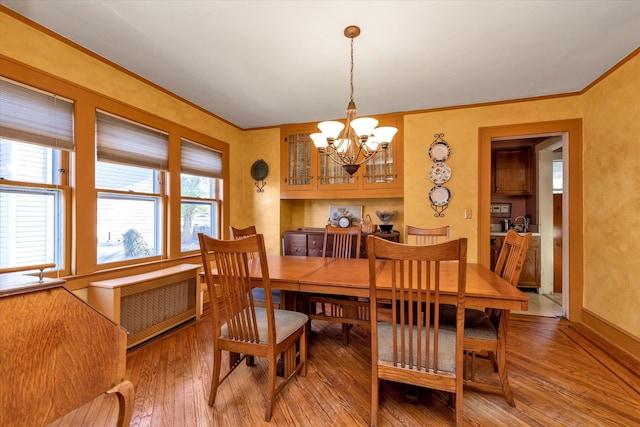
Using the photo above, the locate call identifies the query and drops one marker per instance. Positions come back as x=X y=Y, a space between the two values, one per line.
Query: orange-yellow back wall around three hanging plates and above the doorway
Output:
x=460 y=128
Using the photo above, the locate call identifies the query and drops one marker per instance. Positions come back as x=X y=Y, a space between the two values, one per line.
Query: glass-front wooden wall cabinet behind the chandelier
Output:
x=306 y=174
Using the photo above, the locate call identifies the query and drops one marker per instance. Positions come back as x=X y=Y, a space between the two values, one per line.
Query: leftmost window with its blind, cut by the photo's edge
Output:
x=36 y=134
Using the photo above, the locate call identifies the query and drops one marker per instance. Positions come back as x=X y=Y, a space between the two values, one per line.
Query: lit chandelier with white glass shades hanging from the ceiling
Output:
x=355 y=142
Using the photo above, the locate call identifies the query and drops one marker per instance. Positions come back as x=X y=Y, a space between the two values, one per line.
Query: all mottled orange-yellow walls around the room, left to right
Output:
x=611 y=169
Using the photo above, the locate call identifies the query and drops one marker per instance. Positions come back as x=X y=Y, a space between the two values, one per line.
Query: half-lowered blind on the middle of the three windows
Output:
x=123 y=141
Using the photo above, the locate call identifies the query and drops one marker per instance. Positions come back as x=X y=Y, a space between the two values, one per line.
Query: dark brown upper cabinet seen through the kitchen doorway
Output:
x=512 y=171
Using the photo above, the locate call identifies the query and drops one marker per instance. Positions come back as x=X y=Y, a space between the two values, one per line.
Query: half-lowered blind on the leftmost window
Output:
x=35 y=117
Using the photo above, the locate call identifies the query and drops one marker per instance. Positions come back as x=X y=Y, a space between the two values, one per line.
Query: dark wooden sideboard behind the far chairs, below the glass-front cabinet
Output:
x=308 y=242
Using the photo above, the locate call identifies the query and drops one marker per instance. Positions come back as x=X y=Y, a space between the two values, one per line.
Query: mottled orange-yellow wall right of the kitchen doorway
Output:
x=612 y=198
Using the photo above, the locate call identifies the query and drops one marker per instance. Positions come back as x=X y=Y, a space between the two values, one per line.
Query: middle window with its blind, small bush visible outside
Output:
x=130 y=167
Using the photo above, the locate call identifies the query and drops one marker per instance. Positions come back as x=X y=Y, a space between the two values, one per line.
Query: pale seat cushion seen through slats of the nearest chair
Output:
x=446 y=346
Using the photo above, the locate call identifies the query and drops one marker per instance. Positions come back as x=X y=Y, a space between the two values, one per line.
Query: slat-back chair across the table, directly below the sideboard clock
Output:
x=340 y=243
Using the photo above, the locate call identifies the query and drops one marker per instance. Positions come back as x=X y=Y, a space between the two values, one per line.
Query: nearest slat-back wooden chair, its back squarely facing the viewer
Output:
x=407 y=344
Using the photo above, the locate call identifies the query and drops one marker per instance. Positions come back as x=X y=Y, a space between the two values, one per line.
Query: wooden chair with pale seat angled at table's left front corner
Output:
x=242 y=328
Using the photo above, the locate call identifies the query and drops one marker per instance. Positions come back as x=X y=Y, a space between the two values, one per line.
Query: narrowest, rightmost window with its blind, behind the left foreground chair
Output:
x=200 y=189
